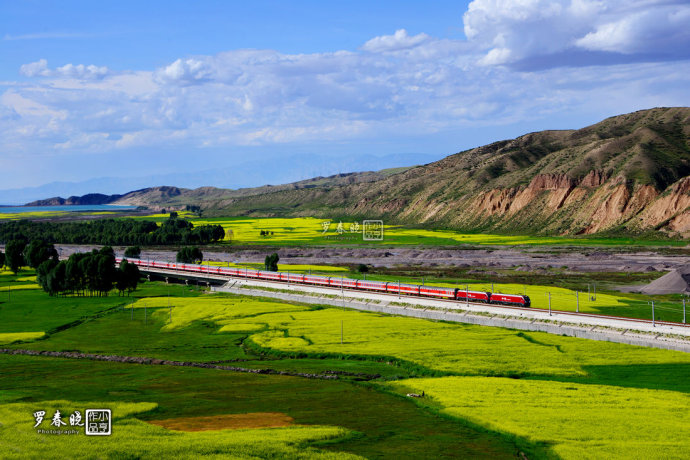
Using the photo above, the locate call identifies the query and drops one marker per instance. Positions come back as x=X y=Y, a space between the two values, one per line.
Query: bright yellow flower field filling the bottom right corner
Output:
x=579 y=421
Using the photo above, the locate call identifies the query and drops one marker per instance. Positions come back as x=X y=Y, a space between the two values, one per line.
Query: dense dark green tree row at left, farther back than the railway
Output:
x=113 y=232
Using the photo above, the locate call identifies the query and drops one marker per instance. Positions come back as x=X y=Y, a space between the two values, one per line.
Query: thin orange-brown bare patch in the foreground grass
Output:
x=226 y=422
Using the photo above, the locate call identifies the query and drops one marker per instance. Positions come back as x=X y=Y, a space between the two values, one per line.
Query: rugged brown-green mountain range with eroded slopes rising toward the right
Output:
x=628 y=174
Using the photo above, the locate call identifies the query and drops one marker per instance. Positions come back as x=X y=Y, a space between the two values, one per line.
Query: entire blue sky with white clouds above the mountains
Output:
x=122 y=89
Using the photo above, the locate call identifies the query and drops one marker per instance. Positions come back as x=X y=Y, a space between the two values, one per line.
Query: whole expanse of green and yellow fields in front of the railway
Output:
x=489 y=392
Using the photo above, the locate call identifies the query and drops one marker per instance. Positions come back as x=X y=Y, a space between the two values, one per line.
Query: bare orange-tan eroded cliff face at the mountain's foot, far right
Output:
x=593 y=204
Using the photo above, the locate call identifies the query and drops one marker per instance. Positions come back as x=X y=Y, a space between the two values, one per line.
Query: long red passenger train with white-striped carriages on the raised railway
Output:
x=347 y=283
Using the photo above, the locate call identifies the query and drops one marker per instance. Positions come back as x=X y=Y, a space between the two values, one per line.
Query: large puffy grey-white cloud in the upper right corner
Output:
x=588 y=31
